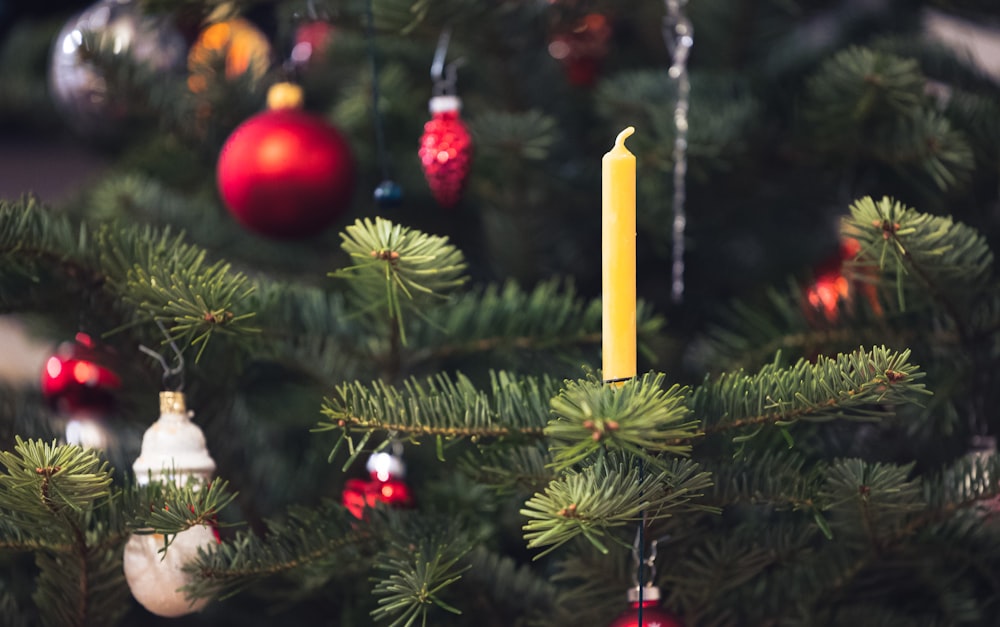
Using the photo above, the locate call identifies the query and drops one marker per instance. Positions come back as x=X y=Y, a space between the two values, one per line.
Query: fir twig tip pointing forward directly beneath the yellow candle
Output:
x=640 y=418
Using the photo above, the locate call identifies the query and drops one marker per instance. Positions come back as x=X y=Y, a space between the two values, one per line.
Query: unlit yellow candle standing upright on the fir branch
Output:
x=618 y=260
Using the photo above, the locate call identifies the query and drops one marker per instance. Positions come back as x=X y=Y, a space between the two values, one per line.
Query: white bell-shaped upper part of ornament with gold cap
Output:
x=173 y=448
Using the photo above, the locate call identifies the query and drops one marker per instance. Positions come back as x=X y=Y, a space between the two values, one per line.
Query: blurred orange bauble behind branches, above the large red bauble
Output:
x=227 y=51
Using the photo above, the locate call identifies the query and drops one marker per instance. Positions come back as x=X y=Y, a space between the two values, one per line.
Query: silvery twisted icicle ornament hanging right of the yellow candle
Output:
x=678 y=35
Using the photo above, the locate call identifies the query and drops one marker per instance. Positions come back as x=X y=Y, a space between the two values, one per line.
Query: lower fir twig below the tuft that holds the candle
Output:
x=611 y=492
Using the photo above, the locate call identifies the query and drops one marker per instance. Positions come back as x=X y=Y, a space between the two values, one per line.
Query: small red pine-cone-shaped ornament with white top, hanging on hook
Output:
x=446 y=150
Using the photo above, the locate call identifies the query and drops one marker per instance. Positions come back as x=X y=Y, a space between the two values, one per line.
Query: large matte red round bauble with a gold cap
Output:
x=286 y=174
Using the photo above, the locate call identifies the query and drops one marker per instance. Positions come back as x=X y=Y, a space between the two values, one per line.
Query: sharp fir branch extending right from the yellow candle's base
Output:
x=862 y=385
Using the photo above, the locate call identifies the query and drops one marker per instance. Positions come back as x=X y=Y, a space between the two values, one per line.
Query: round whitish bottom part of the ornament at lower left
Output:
x=155 y=578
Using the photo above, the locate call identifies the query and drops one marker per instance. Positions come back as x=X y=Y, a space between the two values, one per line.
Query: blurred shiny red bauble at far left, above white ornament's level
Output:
x=78 y=378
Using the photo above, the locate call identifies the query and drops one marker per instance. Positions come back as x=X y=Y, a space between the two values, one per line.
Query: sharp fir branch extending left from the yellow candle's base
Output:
x=443 y=406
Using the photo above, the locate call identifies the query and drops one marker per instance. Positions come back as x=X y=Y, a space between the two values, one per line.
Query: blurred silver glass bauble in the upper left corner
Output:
x=85 y=93
